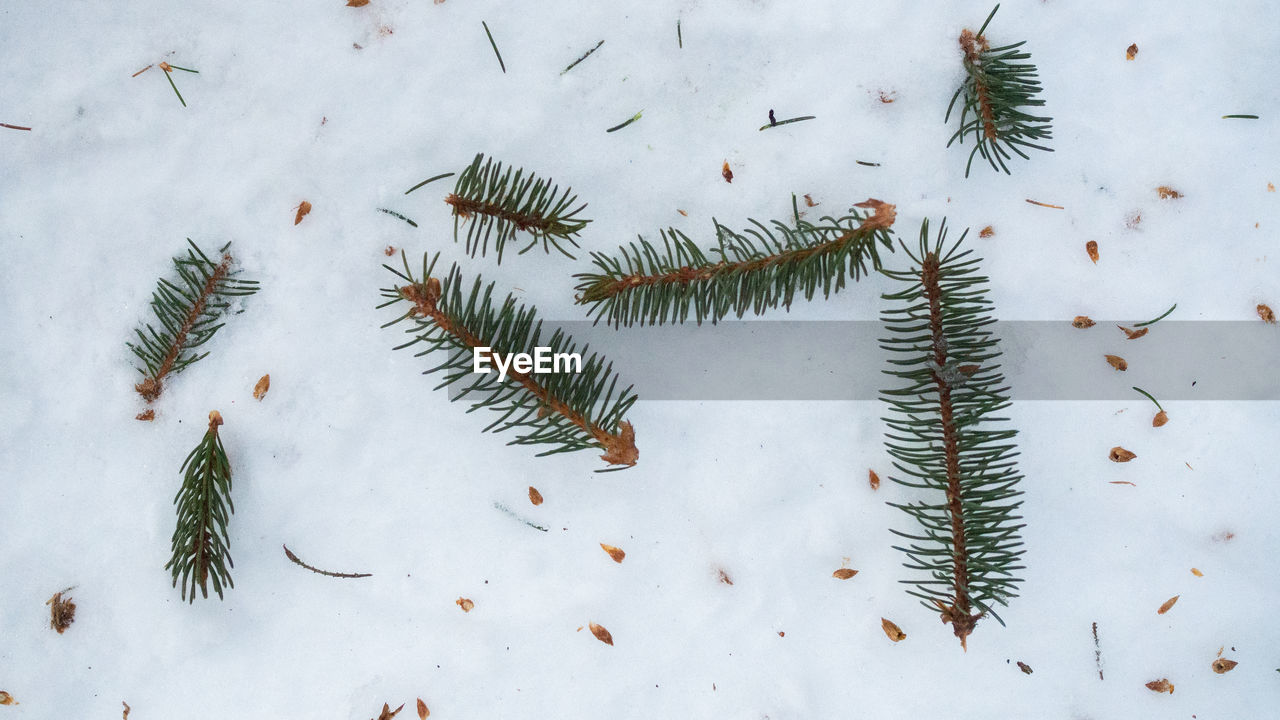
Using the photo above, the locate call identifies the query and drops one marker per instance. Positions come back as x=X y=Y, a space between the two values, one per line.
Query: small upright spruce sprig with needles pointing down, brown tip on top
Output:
x=200 y=541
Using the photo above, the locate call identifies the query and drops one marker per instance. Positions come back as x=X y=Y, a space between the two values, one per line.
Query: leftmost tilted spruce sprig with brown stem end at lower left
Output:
x=189 y=313
